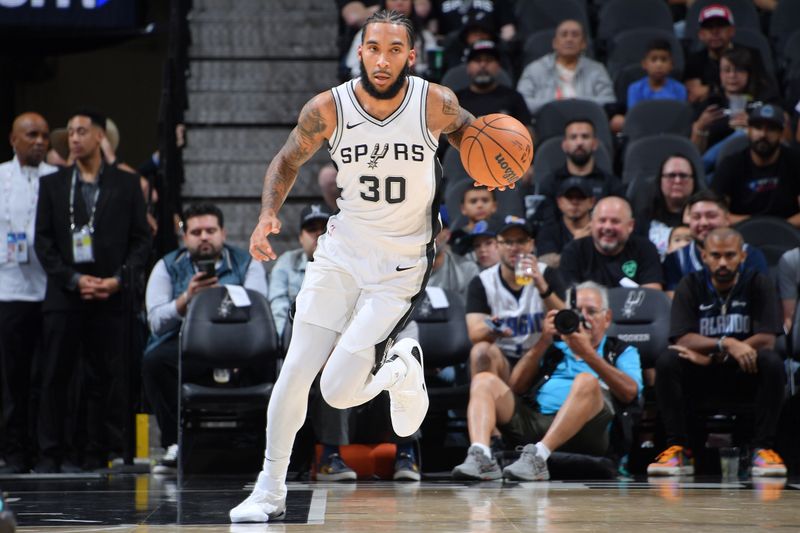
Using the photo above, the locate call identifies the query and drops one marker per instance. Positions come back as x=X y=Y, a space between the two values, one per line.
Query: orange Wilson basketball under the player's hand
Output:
x=496 y=150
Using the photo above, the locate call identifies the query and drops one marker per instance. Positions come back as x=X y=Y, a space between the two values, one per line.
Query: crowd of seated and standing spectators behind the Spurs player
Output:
x=72 y=229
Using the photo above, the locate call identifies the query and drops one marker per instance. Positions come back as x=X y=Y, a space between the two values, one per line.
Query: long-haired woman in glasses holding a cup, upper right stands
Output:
x=723 y=115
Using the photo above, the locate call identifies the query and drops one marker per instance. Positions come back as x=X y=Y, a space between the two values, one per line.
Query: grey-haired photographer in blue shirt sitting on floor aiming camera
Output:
x=588 y=373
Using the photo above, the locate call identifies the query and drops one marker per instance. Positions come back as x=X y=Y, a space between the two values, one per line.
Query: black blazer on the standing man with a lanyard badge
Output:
x=121 y=234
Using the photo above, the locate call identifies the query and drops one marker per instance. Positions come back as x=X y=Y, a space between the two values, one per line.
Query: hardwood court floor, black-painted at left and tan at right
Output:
x=148 y=504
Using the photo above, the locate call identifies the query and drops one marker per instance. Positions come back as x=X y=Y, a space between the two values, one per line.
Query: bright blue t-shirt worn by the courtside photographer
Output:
x=553 y=393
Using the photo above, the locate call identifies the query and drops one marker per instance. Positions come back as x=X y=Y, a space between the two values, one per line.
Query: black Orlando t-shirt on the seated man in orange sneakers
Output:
x=752 y=307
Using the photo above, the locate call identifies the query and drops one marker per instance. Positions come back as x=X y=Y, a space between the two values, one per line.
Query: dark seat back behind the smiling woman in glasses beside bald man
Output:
x=643 y=156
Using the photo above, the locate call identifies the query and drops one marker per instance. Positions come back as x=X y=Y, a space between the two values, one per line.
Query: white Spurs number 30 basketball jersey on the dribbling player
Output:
x=388 y=171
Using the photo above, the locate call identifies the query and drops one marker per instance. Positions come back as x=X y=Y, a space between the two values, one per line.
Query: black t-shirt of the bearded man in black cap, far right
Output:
x=754 y=190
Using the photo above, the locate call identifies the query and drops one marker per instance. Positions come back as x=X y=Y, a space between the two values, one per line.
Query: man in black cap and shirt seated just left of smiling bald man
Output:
x=575 y=202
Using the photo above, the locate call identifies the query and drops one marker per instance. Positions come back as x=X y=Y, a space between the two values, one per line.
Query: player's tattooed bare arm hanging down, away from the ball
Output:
x=304 y=140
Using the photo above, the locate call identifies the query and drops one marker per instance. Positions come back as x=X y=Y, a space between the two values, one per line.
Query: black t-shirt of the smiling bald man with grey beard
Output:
x=638 y=261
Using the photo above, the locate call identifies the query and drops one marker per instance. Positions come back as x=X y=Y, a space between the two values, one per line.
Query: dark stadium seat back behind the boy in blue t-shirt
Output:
x=630 y=46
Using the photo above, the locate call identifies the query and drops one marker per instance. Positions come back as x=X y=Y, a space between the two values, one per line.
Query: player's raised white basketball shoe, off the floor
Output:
x=409 y=397
